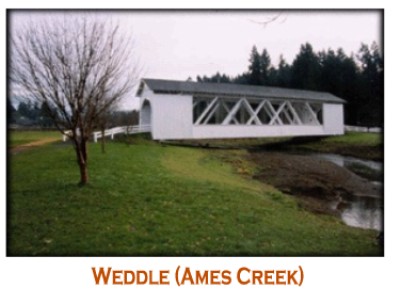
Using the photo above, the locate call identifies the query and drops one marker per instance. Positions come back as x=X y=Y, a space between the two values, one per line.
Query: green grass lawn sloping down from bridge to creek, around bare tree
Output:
x=154 y=200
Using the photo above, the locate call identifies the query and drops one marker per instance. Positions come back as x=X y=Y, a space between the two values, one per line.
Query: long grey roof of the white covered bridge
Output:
x=160 y=86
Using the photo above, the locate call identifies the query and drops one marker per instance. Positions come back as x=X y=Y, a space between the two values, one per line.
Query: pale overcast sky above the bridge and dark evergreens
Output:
x=182 y=44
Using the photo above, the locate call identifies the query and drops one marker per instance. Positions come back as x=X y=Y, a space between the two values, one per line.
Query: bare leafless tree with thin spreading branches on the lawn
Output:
x=79 y=67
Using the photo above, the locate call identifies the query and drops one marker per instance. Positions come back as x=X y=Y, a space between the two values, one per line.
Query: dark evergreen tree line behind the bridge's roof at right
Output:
x=356 y=78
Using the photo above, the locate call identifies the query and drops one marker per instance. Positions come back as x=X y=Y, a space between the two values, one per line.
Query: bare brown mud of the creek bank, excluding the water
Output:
x=316 y=182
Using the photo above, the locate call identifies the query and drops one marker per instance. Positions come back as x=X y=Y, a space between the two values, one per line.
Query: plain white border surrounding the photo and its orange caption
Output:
x=325 y=278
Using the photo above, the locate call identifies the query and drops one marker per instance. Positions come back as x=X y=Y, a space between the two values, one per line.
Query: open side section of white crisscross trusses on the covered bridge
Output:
x=247 y=111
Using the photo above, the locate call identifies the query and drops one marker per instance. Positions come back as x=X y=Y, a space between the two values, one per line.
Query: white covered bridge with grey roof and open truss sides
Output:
x=191 y=110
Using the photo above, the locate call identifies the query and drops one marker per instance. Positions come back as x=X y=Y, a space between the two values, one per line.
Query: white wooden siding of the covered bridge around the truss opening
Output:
x=172 y=118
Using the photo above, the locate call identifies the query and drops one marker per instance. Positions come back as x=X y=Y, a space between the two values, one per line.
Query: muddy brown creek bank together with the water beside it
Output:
x=323 y=186
